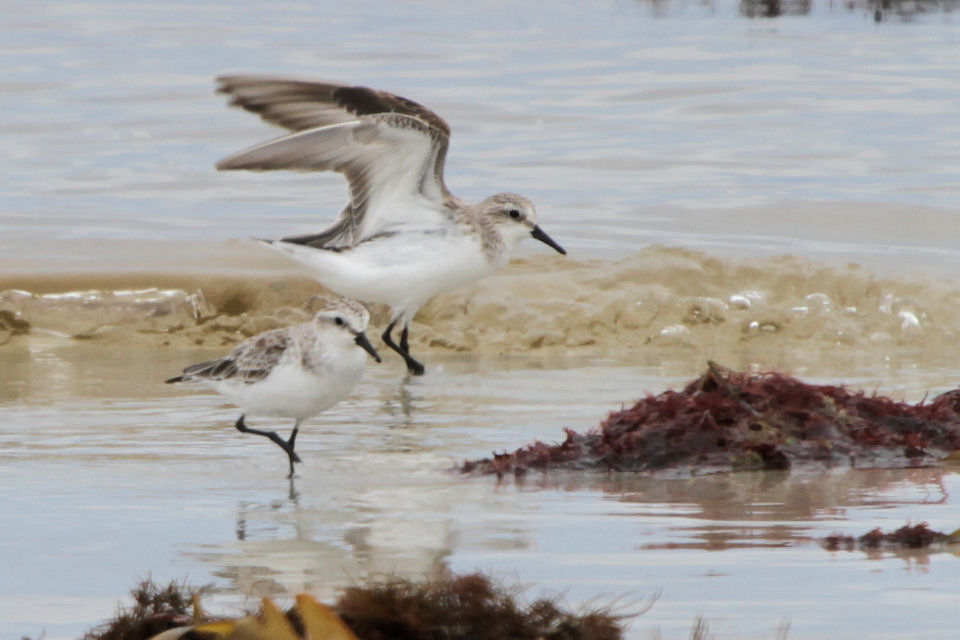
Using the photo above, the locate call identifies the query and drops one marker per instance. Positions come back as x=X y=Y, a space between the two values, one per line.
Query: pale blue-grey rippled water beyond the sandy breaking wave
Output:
x=627 y=123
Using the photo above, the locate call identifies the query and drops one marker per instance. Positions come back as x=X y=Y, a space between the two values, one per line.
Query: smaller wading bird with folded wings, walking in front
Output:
x=295 y=372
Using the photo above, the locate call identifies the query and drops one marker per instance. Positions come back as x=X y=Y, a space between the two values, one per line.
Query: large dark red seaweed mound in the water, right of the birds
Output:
x=727 y=421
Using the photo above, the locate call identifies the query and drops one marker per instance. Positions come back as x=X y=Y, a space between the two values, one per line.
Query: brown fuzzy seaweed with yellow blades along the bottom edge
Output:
x=450 y=606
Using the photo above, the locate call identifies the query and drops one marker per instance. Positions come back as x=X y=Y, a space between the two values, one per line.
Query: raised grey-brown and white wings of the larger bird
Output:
x=392 y=150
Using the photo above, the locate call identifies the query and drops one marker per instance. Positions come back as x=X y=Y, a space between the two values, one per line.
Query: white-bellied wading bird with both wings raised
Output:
x=403 y=237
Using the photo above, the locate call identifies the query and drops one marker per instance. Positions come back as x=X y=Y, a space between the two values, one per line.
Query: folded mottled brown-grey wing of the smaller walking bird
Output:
x=249 y=362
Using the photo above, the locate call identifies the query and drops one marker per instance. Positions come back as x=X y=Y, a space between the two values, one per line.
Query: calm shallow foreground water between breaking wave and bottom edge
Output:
x=118 y=477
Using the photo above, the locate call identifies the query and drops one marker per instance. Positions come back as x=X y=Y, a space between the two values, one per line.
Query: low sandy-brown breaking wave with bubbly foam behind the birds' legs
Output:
x=664 y=298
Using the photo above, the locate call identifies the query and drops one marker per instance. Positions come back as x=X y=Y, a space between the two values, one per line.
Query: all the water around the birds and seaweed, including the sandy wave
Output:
x=827 y=137
